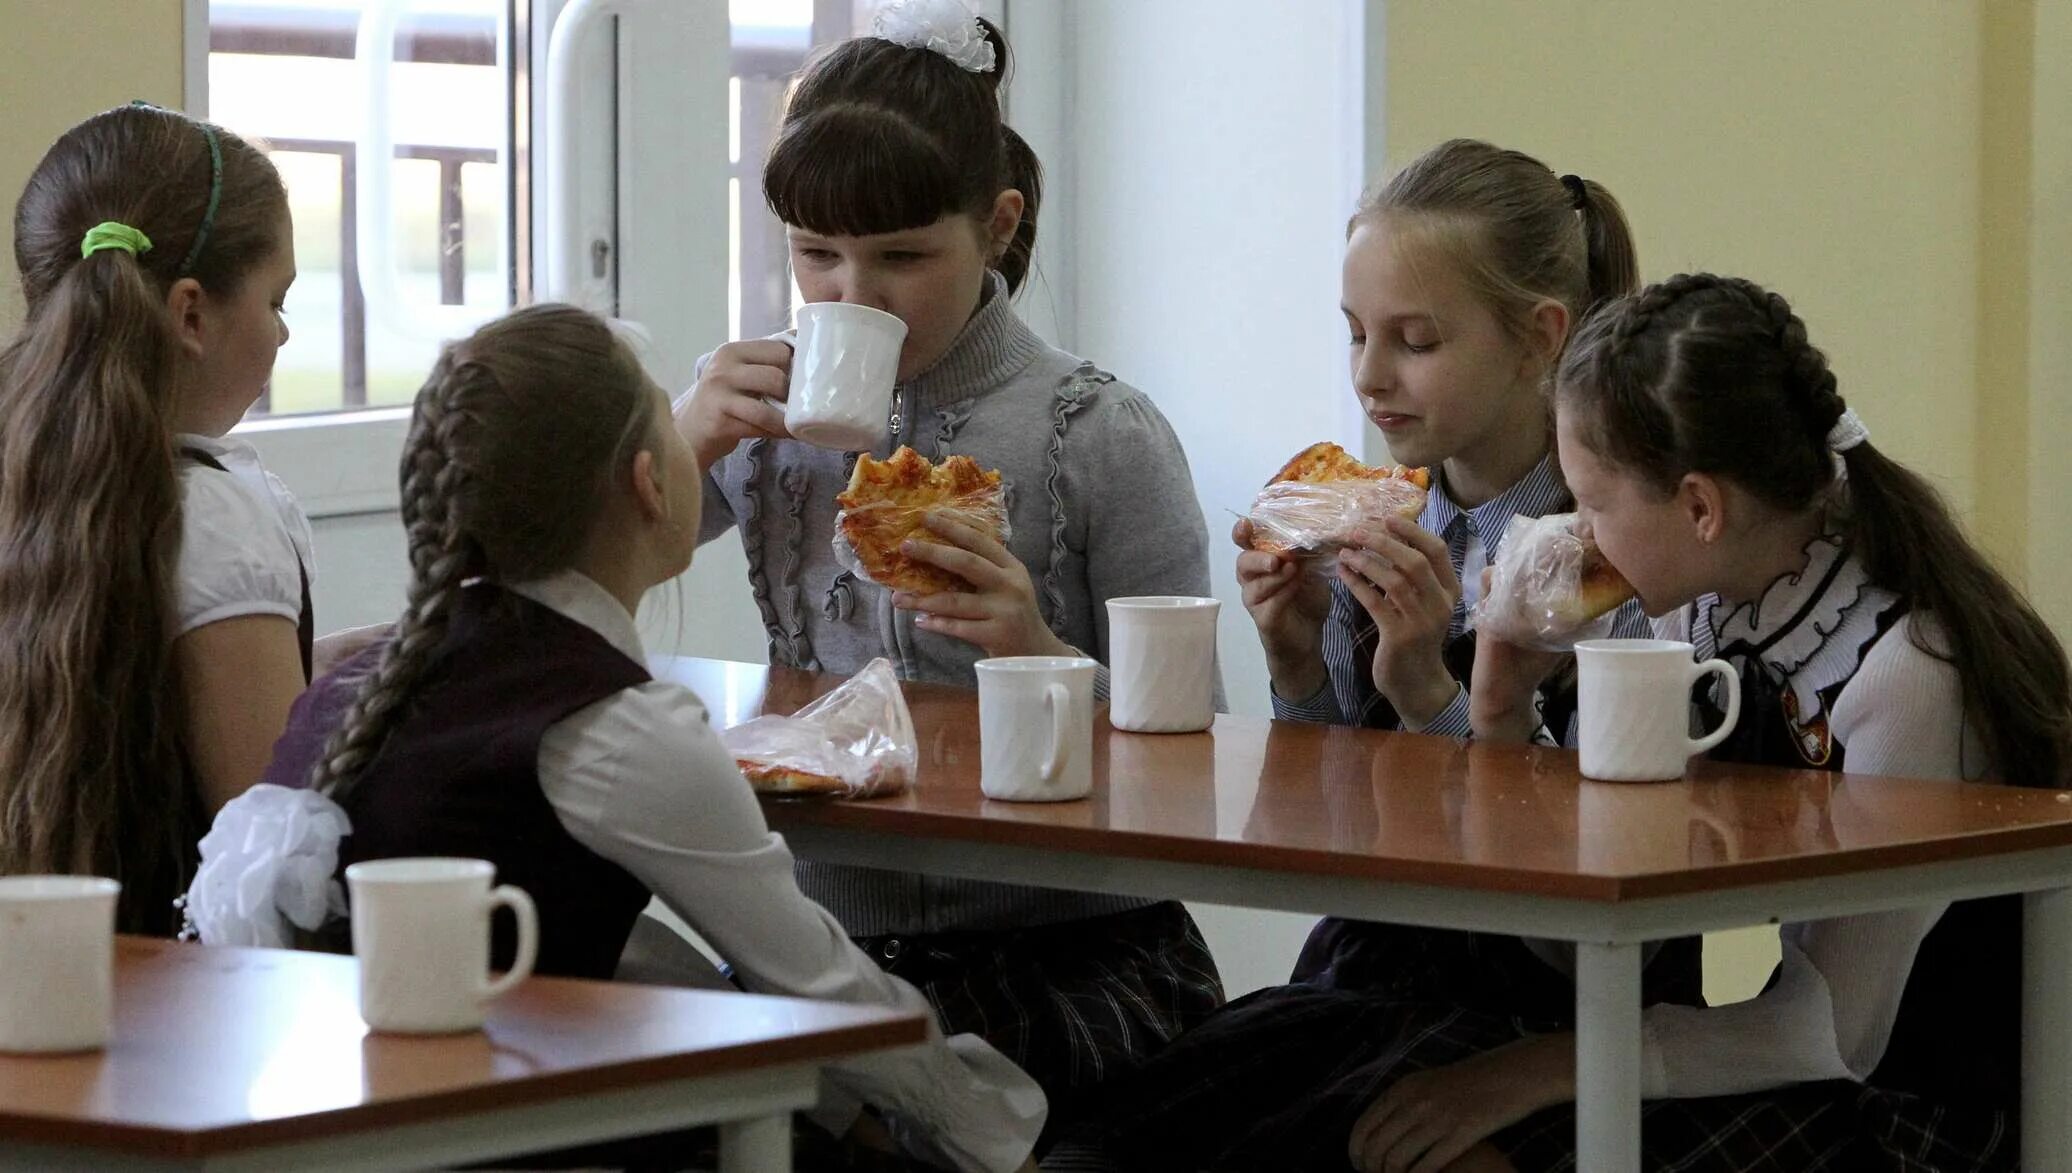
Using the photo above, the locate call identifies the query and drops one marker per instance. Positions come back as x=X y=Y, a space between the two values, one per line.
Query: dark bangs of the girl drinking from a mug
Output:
x=857 y=171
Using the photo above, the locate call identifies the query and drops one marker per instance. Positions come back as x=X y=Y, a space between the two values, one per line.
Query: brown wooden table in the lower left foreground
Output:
x=260 y=1060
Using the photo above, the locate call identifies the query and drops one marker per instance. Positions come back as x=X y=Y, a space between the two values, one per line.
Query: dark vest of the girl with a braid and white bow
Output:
x=459 y=776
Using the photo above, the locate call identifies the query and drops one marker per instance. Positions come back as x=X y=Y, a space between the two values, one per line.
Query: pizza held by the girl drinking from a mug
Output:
x=890 y=500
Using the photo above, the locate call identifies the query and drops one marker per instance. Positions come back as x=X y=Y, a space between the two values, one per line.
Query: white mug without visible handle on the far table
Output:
x=1163 y=664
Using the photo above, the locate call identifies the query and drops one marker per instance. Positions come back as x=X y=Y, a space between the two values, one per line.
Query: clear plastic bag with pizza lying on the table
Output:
x=855 y=743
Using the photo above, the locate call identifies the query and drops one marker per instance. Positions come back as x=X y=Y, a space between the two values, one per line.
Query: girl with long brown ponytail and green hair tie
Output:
x=154 y=594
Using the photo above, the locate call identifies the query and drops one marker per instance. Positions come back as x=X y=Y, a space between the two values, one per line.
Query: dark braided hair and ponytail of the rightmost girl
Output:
x=1708 y=374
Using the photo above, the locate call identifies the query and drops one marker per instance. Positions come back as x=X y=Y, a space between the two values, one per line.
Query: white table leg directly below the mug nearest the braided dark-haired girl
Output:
x=1609 y=1058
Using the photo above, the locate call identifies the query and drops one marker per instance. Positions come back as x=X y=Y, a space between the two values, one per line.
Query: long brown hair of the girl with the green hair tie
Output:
x=92 y=760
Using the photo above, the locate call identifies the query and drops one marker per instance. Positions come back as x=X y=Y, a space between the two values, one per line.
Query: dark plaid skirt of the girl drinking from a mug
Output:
x=1072 y=1004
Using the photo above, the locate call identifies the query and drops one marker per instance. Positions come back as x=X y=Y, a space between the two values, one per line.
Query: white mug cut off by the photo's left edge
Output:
x=57 y=963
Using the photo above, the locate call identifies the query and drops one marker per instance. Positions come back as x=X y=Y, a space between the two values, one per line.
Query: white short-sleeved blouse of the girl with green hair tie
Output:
x=243 y=540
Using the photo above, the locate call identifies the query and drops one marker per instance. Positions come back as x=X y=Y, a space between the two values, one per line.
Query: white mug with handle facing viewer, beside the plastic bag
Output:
x=1037 y=728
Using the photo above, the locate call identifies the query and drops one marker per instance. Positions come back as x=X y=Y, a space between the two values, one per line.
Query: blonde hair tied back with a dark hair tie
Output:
x=1516 y=231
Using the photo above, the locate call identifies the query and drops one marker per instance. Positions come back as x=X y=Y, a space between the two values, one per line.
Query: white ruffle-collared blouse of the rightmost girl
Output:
x=1839 y=990
